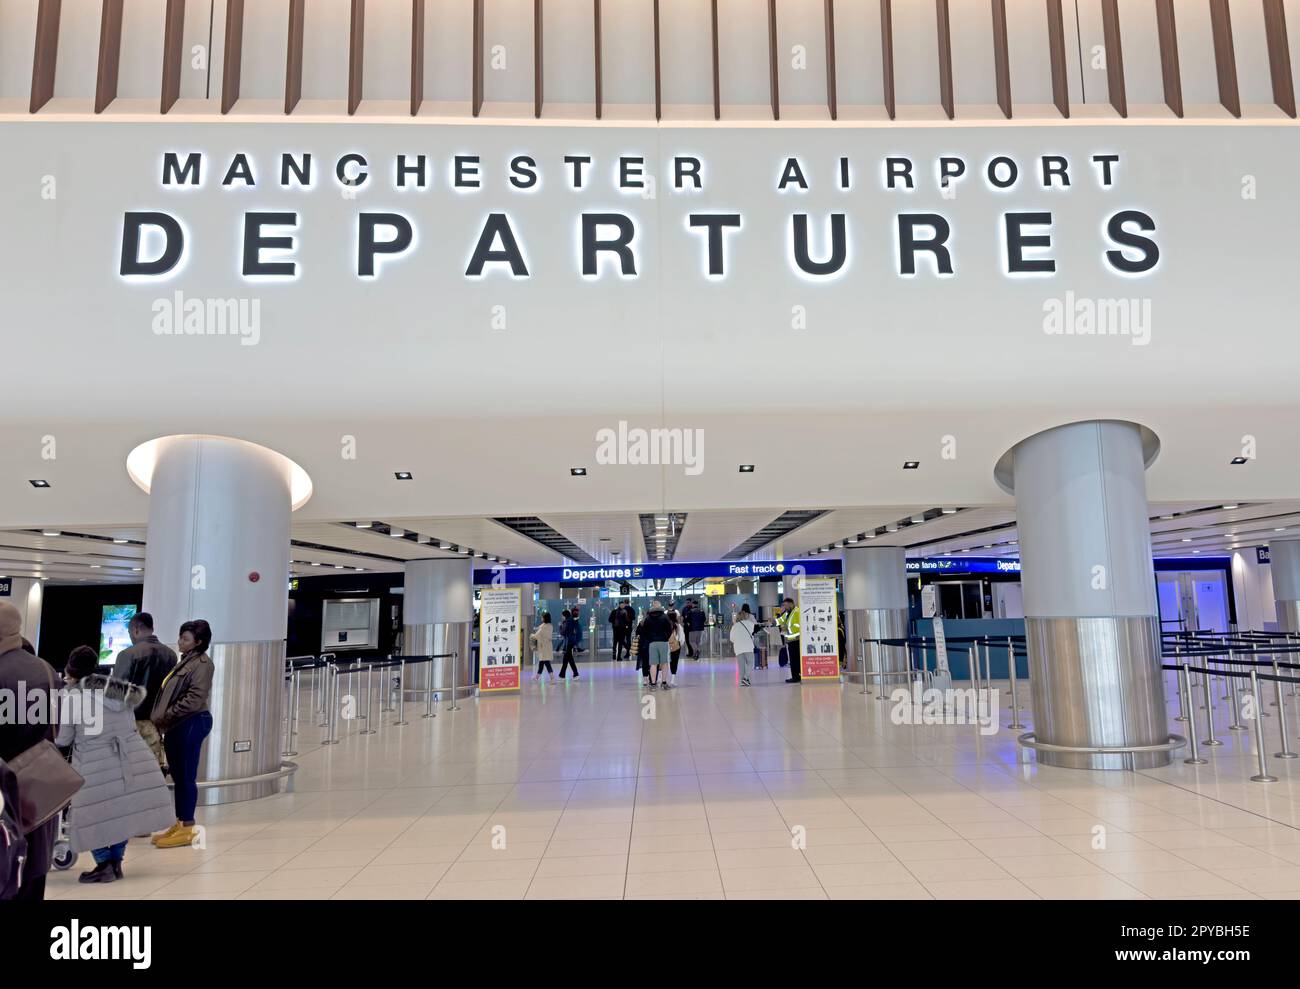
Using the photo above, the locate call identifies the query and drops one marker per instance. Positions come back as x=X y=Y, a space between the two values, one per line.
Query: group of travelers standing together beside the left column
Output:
x=155 y=718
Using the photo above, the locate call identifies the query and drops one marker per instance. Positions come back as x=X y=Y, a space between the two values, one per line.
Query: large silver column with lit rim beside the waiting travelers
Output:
x=219 y=550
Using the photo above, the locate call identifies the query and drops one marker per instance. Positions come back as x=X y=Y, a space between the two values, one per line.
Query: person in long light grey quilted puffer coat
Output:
x=125 y=793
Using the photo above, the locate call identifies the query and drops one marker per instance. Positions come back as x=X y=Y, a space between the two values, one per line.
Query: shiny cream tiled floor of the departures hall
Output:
x=567 y=791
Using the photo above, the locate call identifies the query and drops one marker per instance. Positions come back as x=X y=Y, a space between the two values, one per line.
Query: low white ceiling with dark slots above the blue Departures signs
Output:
x=1197 y=528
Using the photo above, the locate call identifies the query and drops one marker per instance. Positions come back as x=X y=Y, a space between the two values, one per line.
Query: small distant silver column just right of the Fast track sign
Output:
x=876 y=604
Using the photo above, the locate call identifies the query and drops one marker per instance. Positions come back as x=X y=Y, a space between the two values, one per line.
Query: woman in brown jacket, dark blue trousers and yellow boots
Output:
x=181 y=714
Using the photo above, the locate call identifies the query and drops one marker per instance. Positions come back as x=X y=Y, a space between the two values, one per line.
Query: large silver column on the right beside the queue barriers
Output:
x=1090 y=595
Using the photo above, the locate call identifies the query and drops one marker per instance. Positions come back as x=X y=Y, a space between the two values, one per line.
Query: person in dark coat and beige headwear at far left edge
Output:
x=23 y=674
